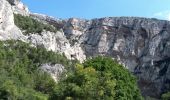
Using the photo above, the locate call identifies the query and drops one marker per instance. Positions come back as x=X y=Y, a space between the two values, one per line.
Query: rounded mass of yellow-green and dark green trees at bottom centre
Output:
x=99 y=78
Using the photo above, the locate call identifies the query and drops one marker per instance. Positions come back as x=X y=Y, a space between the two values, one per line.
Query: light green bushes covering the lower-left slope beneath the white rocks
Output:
x=20 y=76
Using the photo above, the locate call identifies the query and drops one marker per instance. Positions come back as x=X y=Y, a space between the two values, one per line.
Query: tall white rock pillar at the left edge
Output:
x=8 y=30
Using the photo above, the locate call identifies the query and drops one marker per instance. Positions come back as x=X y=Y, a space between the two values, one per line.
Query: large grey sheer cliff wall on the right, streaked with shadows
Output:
x=141 y=44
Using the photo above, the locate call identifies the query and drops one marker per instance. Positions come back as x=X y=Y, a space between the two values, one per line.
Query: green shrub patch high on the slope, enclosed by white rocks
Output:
x=30 y=25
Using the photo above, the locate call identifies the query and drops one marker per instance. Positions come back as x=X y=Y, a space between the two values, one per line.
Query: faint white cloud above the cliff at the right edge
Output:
x=163 y=15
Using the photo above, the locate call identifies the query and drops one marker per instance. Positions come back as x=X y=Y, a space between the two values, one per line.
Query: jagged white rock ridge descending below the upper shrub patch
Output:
x=57 y=42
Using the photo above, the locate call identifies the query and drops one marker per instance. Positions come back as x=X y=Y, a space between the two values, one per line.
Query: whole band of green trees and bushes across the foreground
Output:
x=99 y=78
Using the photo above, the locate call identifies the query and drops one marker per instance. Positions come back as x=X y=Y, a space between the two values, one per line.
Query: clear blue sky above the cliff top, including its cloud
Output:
x=90 y=9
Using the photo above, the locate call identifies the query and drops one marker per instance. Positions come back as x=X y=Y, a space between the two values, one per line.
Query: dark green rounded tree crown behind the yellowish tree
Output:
x=126 y=85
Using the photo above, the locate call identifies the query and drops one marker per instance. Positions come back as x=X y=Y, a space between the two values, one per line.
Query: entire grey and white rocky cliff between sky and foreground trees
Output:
x=141 y=44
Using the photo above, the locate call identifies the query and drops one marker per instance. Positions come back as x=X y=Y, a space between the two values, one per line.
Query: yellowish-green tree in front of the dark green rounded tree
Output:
x=85 y=84
